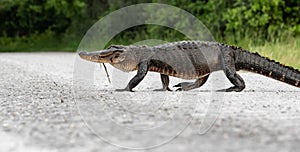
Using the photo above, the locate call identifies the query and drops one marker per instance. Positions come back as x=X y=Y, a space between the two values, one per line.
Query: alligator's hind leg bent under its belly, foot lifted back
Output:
x=185 y=86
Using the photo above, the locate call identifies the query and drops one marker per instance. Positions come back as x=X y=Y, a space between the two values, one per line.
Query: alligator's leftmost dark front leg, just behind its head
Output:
x=141 y=73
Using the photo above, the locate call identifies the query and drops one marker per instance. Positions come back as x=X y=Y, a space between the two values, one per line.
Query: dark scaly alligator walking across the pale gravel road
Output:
x=191 y=60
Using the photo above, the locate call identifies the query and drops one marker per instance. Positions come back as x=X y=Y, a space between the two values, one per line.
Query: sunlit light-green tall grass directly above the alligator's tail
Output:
x=284 y=48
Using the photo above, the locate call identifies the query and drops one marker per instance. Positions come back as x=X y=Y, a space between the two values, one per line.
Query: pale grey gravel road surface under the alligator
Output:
x=38 y=112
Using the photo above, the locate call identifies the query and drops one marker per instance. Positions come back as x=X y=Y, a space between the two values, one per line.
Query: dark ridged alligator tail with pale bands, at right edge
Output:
x=256 y=63
